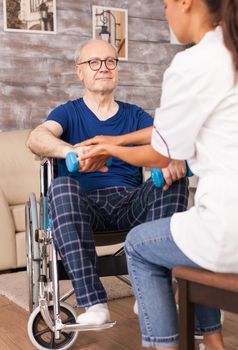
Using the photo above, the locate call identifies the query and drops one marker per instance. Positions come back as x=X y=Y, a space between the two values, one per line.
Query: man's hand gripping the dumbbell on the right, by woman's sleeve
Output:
x=175 y=171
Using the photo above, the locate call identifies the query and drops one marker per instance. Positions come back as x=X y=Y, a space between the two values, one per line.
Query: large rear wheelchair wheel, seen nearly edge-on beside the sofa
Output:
x=32 y=252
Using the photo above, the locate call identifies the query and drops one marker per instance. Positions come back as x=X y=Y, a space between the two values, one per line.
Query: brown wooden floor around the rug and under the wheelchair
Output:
x=124 y=336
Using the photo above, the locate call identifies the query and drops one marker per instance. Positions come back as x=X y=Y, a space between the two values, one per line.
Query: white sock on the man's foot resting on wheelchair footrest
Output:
x=95 y=315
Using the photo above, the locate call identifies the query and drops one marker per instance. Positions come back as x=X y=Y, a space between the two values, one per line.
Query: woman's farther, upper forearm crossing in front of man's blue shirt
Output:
x=140 y=137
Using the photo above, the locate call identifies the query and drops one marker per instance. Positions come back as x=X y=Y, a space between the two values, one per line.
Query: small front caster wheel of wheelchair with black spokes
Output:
x=43 y=338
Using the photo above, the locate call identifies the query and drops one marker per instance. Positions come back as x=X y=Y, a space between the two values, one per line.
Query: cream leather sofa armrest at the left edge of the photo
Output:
x=7 y=236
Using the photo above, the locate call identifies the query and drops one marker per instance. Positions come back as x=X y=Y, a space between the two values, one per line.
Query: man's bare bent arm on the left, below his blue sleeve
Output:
x=45 y=141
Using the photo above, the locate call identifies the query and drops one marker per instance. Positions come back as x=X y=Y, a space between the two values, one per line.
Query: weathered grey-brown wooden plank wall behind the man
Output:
x=37 y=70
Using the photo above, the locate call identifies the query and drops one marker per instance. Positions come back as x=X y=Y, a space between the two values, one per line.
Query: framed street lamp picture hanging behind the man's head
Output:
x=111 y=24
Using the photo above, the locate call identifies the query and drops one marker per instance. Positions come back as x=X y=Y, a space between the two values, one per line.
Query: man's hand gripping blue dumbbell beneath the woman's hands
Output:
x=90 y=164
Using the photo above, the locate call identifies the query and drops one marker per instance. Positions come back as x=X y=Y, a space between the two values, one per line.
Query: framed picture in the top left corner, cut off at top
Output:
x=30 y=16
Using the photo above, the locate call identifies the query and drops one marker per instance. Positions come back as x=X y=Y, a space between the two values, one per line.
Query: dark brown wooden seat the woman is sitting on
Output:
x=219 y=290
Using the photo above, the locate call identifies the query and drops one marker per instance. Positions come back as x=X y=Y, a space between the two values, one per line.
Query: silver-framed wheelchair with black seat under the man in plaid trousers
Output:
x=52 y=322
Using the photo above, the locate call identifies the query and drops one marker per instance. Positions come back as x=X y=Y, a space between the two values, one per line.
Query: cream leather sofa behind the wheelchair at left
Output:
x=19 y=175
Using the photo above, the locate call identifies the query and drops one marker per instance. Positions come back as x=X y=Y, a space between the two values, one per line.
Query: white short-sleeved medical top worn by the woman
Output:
x=198 y=121
